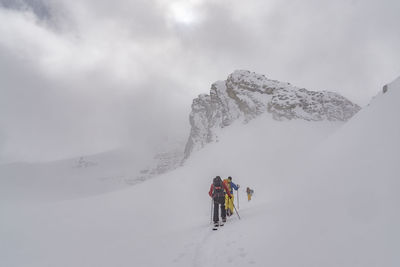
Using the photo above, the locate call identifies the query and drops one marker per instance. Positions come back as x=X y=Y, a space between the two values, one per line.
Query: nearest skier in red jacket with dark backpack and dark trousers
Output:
x=217 y=192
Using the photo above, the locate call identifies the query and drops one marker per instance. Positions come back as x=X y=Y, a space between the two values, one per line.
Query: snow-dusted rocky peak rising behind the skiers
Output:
x=245 y=95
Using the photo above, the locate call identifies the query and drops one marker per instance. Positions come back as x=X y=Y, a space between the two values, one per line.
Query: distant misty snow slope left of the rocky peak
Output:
x=87 y=175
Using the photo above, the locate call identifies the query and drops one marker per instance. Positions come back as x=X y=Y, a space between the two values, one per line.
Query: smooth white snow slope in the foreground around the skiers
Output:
x=320 y=199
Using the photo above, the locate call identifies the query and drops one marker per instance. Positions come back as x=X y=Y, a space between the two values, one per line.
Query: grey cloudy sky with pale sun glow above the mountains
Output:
x=79 y=77
